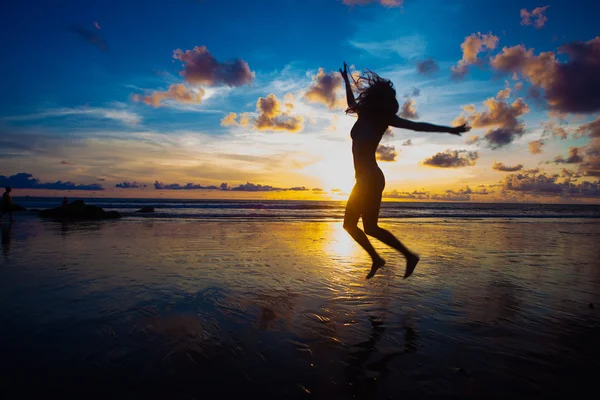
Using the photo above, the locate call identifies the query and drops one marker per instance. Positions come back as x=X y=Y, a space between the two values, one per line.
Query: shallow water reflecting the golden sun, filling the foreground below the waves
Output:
x=187 y=309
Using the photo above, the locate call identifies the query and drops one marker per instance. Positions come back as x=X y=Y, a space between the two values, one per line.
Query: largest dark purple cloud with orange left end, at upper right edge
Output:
x=572 y=86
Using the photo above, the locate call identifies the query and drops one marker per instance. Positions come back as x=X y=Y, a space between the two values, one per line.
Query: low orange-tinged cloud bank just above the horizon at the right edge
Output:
x=546 y=185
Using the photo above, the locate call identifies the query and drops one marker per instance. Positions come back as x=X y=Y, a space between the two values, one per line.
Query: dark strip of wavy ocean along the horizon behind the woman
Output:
x=319 y=210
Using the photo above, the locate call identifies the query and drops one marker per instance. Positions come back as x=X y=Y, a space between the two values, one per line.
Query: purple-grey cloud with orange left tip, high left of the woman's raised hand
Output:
x=201 y=67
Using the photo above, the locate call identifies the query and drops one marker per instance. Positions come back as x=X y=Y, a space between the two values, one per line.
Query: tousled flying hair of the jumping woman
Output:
x=375 y=95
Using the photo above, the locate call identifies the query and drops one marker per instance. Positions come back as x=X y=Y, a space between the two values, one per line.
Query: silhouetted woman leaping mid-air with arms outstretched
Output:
x=376 y=107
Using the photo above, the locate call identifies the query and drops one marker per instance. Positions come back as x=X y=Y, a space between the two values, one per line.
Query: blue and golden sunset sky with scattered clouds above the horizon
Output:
x=242 y=99
